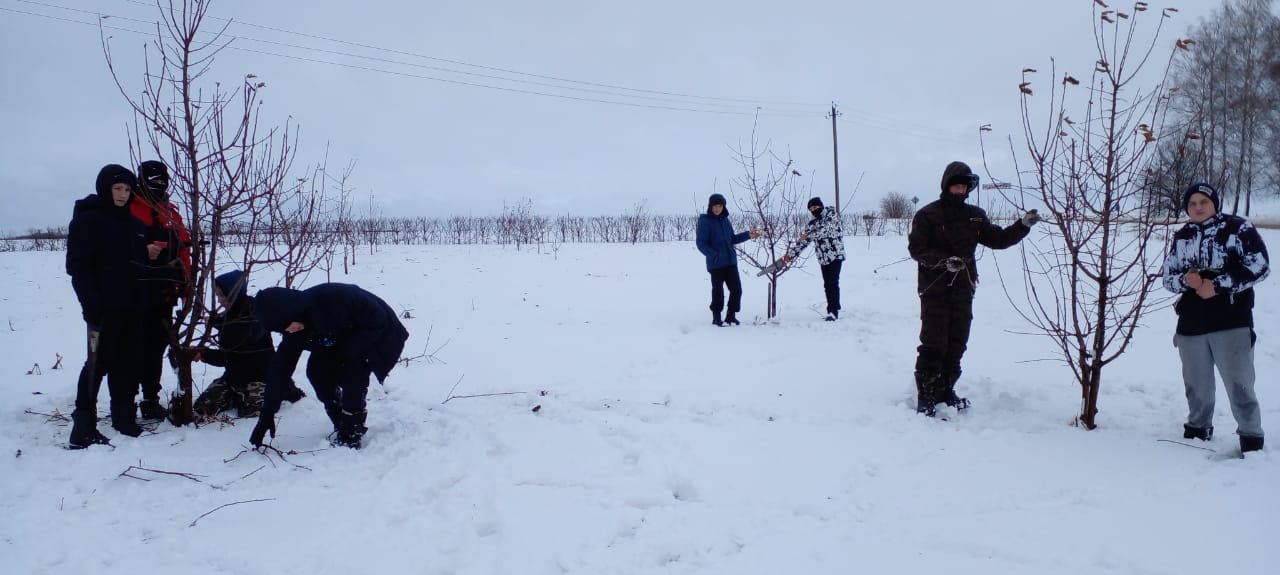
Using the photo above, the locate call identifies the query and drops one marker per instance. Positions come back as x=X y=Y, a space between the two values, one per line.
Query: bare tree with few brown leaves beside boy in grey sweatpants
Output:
x=1089 y=281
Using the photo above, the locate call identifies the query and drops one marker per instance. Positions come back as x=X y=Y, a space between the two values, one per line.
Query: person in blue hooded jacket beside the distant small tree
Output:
x=716 y=240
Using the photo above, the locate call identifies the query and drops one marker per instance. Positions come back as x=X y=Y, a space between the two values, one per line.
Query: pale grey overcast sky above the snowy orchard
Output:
x=582 y=107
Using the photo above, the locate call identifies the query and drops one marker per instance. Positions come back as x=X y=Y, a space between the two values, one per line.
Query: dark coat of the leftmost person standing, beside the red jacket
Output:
x=106 y=252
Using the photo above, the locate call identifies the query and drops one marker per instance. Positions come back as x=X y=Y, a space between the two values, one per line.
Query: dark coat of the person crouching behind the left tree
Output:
x=244 y=348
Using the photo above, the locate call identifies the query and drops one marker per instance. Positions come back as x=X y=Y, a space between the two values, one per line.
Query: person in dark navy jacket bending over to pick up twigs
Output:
x=350 y=332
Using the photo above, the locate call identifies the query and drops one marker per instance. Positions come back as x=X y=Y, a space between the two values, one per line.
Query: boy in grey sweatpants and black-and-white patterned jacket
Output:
x=1214 y=263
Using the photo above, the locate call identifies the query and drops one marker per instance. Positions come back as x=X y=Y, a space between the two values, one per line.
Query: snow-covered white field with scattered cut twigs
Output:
x=625 y=435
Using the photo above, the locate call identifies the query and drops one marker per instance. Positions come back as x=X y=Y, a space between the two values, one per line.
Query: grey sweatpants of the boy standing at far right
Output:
x=1232 y=352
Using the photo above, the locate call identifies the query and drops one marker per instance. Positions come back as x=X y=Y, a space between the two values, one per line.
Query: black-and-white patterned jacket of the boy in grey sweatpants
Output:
x=1231 y=253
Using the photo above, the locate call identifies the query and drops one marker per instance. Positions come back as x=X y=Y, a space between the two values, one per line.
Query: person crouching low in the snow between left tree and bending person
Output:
x=244 y=349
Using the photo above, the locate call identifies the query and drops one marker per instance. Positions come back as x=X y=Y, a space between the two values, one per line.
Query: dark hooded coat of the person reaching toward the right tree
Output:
x=949 y=227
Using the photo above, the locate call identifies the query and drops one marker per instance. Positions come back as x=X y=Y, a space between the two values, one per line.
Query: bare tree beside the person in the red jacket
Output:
x=223 y=163
